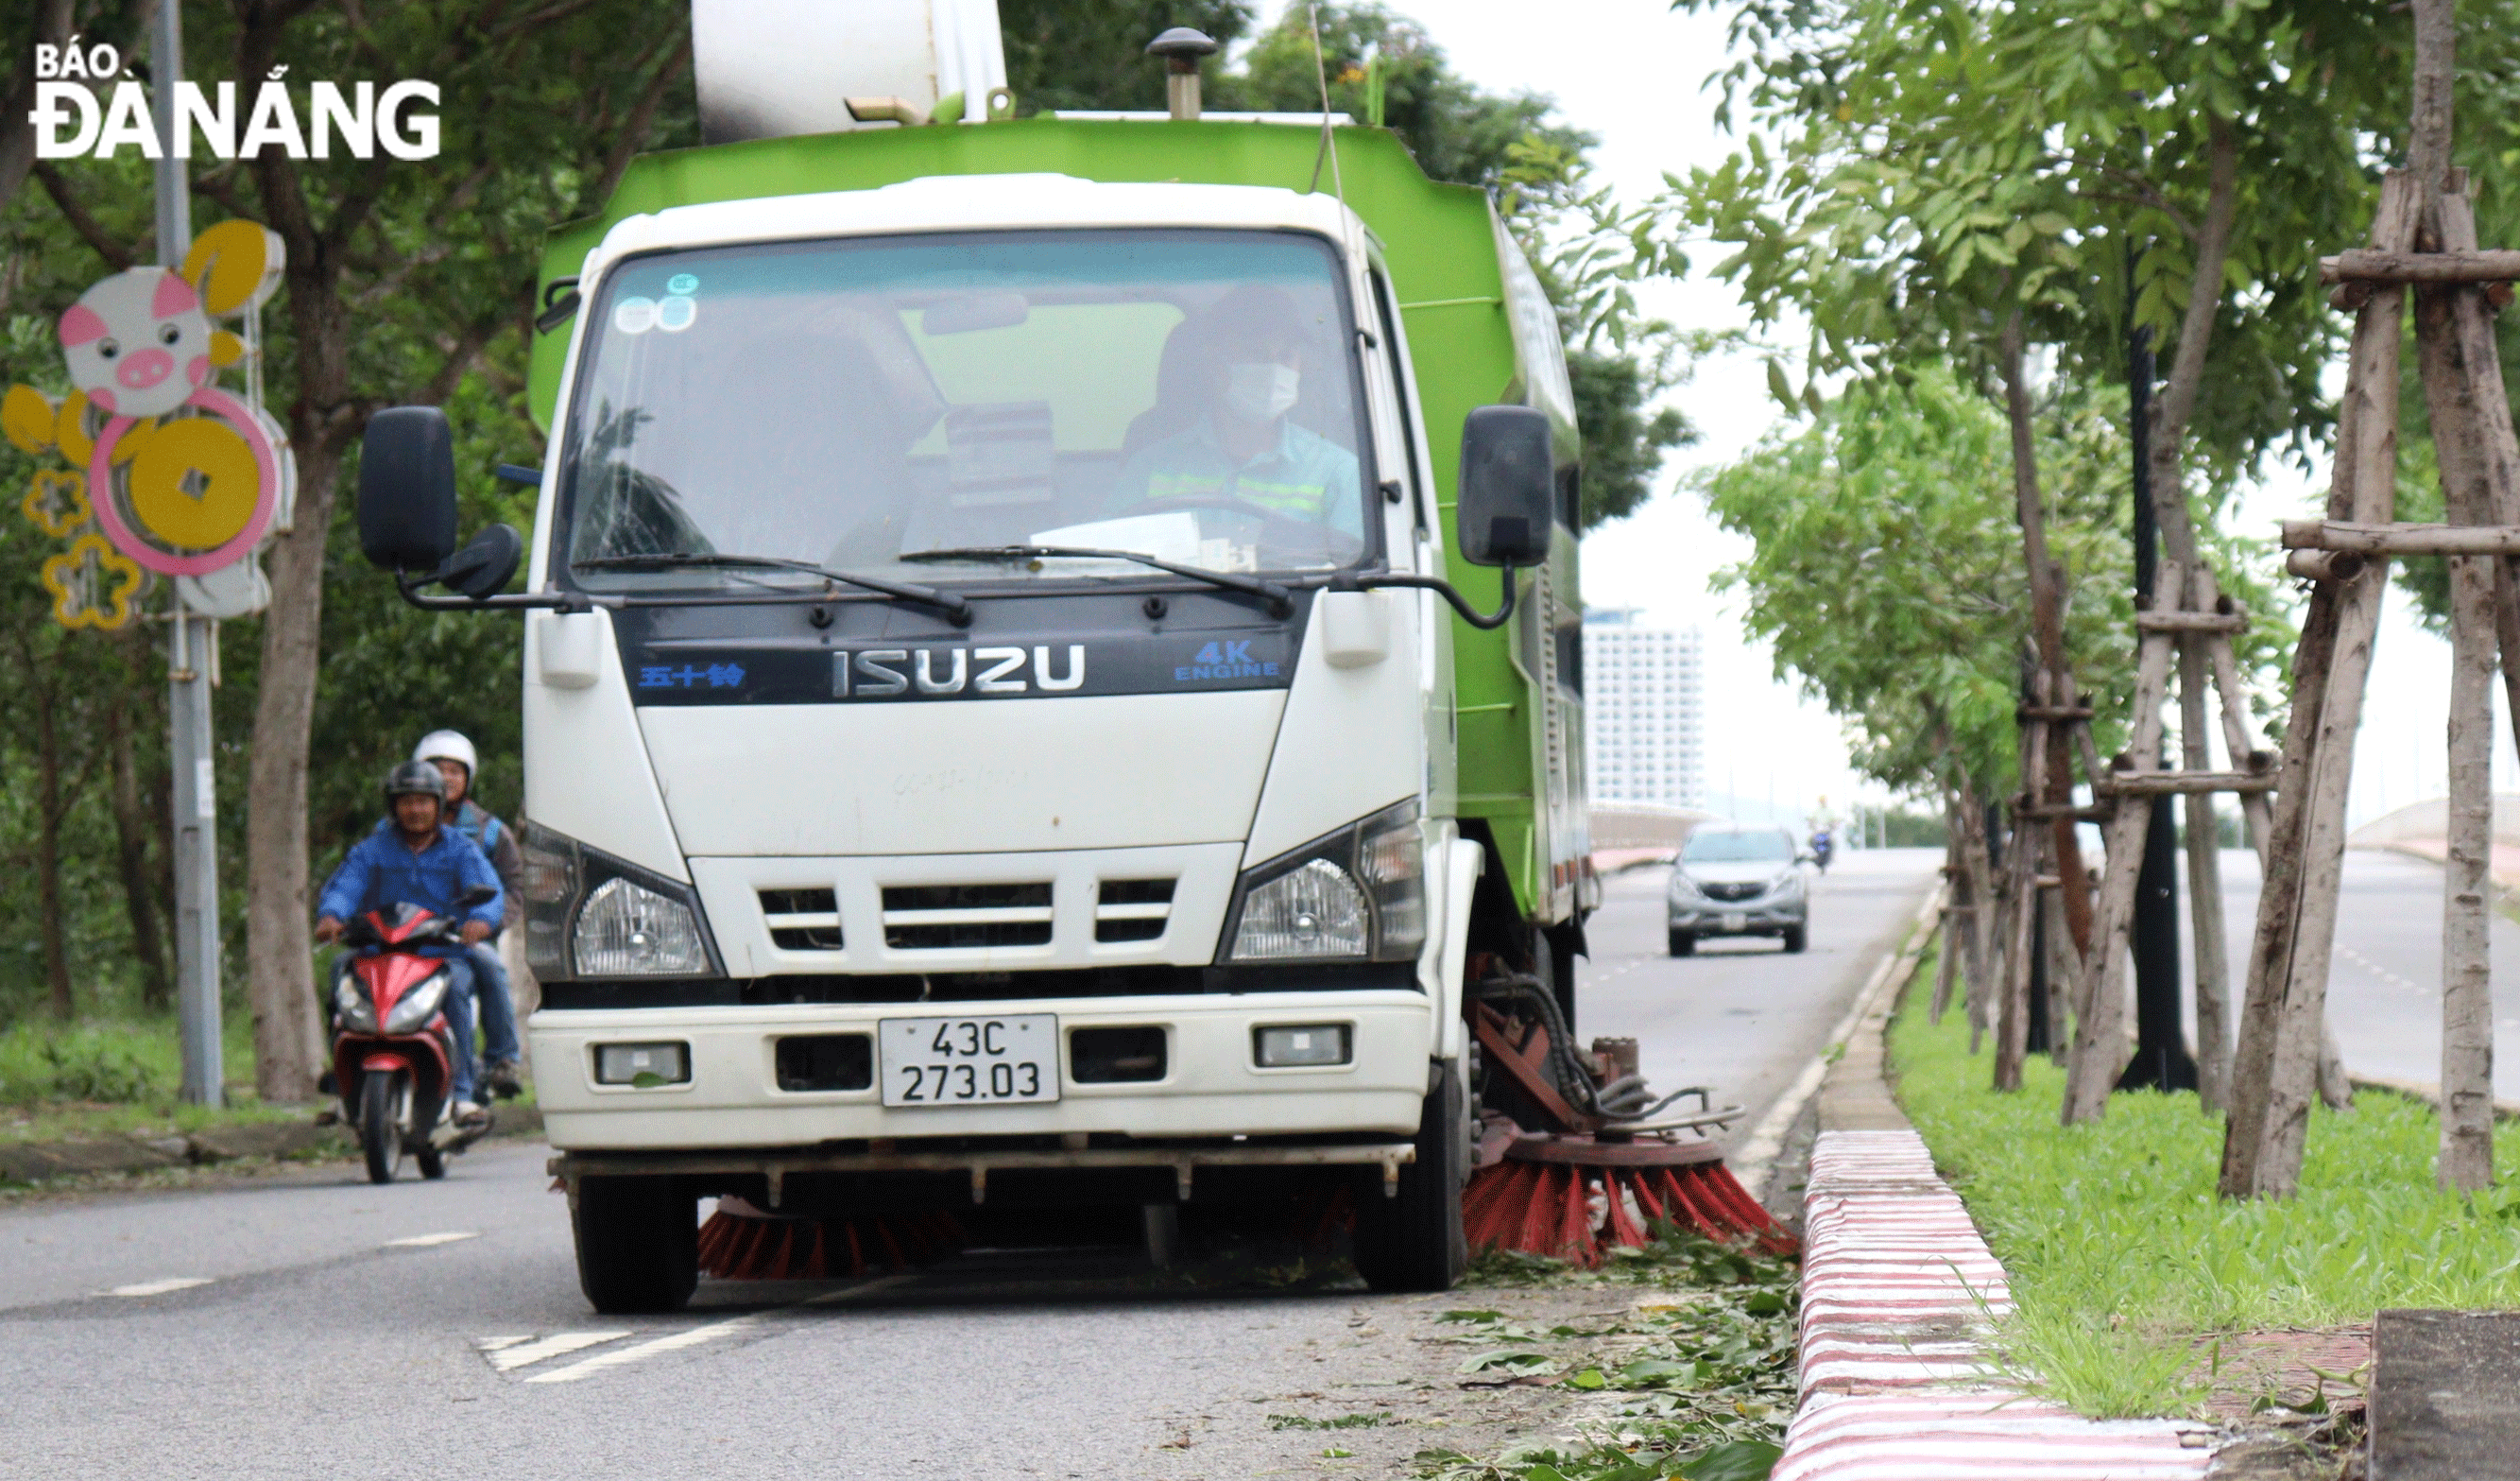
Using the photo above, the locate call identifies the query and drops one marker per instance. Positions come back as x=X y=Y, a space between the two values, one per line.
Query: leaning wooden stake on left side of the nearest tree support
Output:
x=2365 y=480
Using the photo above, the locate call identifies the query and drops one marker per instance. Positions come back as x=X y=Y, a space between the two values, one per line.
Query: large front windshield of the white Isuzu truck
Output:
x=848 y=404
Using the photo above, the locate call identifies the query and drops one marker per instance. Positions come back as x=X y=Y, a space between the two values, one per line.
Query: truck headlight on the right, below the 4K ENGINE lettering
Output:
x=1349 y=895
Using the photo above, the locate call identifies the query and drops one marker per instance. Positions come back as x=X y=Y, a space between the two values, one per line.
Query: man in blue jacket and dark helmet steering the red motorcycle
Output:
x=415 y=860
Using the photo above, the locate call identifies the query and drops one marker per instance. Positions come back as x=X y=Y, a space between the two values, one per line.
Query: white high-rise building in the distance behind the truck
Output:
x=1644 y=699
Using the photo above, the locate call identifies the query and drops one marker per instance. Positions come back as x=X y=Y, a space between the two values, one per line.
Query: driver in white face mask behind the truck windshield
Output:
x=1244 y=447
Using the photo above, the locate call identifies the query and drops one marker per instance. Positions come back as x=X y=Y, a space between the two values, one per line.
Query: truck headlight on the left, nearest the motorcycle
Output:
x=593 y=916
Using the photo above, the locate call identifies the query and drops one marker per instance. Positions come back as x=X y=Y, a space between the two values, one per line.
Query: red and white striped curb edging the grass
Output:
x=1896 y=1301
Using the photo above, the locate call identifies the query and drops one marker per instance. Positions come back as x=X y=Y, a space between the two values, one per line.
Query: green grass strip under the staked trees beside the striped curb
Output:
x=2123 y=1261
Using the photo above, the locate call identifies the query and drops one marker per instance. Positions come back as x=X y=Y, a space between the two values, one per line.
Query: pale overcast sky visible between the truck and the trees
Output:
x=1634 y=74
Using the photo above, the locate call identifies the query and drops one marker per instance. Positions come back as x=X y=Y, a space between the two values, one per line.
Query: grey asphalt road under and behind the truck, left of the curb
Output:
x=316 y=1326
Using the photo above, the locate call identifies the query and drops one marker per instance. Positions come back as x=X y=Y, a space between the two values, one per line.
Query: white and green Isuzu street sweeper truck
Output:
x=1050 y=681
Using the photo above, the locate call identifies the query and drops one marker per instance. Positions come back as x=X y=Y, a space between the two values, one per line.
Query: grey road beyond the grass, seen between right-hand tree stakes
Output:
x=2385 y=981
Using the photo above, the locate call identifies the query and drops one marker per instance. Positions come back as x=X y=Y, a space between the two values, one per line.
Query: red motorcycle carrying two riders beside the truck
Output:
x=392 y=1044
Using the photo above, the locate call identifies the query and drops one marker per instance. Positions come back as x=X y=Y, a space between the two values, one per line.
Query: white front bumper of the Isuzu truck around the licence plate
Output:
x=1211 y=1084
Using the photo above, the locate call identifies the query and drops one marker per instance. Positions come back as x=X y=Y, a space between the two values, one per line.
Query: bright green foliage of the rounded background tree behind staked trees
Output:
x=1889 y=570
